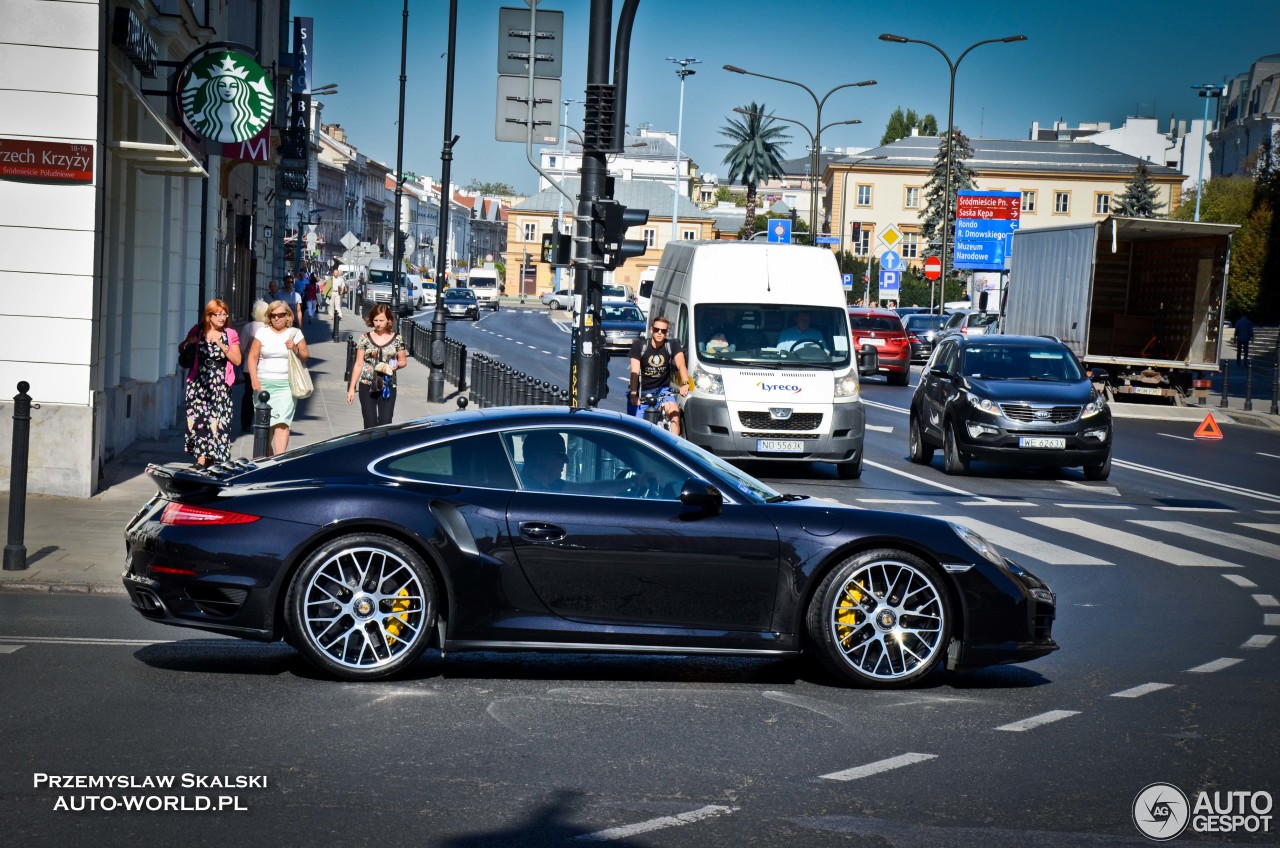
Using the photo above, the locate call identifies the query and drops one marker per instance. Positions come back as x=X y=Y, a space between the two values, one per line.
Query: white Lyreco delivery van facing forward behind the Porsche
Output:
x=766 y=336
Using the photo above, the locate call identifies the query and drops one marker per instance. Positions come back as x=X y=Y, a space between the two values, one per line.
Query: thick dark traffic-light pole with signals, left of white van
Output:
x=601 y=224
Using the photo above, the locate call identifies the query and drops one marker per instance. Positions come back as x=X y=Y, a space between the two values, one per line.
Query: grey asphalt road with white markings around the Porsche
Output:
x=1168 y=577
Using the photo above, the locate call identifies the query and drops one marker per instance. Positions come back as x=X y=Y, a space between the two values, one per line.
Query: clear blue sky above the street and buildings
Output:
x=1082 y=62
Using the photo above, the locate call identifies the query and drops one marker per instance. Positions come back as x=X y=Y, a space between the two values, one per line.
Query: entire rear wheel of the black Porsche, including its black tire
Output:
x=374 y=628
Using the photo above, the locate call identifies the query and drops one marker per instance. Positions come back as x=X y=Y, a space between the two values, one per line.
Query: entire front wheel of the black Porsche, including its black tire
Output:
x=881 y=621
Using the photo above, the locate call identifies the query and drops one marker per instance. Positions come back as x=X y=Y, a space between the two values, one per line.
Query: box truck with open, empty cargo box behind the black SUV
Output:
x=1140 y=299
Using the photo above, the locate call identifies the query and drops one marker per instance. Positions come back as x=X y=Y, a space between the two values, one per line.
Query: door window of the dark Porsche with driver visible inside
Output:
x=591 y=462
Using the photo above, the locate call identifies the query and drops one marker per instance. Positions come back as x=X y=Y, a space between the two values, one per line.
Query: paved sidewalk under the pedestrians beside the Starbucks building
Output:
x=77 y=545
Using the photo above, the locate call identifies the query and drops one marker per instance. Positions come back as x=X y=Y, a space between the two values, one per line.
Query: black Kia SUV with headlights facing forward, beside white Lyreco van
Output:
x=1009 y=399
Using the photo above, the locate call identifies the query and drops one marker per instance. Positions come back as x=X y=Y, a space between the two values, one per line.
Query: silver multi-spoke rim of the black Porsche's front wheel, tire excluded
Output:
x=889 y=621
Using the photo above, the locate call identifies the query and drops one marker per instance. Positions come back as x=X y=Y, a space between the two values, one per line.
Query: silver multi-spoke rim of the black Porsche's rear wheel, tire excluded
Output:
x=364 y=608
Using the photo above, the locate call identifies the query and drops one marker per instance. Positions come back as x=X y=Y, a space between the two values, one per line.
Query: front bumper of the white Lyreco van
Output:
x=711 y=425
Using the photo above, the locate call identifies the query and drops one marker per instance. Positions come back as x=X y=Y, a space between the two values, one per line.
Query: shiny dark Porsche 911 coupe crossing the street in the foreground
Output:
x=548 y=530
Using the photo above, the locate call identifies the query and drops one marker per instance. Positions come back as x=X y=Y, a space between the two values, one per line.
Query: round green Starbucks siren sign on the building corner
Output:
x=227 y=98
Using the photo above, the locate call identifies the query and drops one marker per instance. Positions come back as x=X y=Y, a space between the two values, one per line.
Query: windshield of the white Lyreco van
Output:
x=757 y=335
